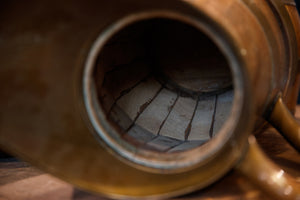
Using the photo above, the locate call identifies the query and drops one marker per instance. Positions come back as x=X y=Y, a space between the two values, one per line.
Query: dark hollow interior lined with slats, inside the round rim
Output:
x=164 y=85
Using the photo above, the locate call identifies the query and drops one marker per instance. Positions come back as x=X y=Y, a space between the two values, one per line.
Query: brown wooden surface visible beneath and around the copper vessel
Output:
x=18 y=180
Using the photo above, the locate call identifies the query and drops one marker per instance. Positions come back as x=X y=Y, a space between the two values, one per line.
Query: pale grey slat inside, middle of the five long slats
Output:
x=176 y=125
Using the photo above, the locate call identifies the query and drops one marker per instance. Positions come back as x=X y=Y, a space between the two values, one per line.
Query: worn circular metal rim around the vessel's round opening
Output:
x=151 y=161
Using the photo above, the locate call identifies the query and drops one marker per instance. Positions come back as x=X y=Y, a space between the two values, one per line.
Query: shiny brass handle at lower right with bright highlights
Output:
x=257 y=167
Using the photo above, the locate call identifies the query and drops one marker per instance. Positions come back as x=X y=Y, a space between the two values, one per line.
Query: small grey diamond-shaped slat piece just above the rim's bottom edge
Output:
x=162 y=143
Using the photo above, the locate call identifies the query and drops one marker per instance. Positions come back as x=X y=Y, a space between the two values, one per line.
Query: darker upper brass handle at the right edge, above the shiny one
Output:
x=285 y=123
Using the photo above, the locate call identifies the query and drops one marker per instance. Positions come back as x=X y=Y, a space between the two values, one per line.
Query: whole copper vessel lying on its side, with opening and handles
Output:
x=149 y=99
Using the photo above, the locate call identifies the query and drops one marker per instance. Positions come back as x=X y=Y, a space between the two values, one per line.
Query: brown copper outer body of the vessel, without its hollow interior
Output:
x=45 y=52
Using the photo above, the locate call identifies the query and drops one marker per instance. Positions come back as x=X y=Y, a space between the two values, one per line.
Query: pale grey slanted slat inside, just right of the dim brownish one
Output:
x=153 y=116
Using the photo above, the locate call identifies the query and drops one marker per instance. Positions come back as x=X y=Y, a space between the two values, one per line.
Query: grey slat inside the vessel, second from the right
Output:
x=203 y=118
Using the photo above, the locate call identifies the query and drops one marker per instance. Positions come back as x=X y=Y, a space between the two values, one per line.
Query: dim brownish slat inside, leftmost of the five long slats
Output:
x=135 y=101
